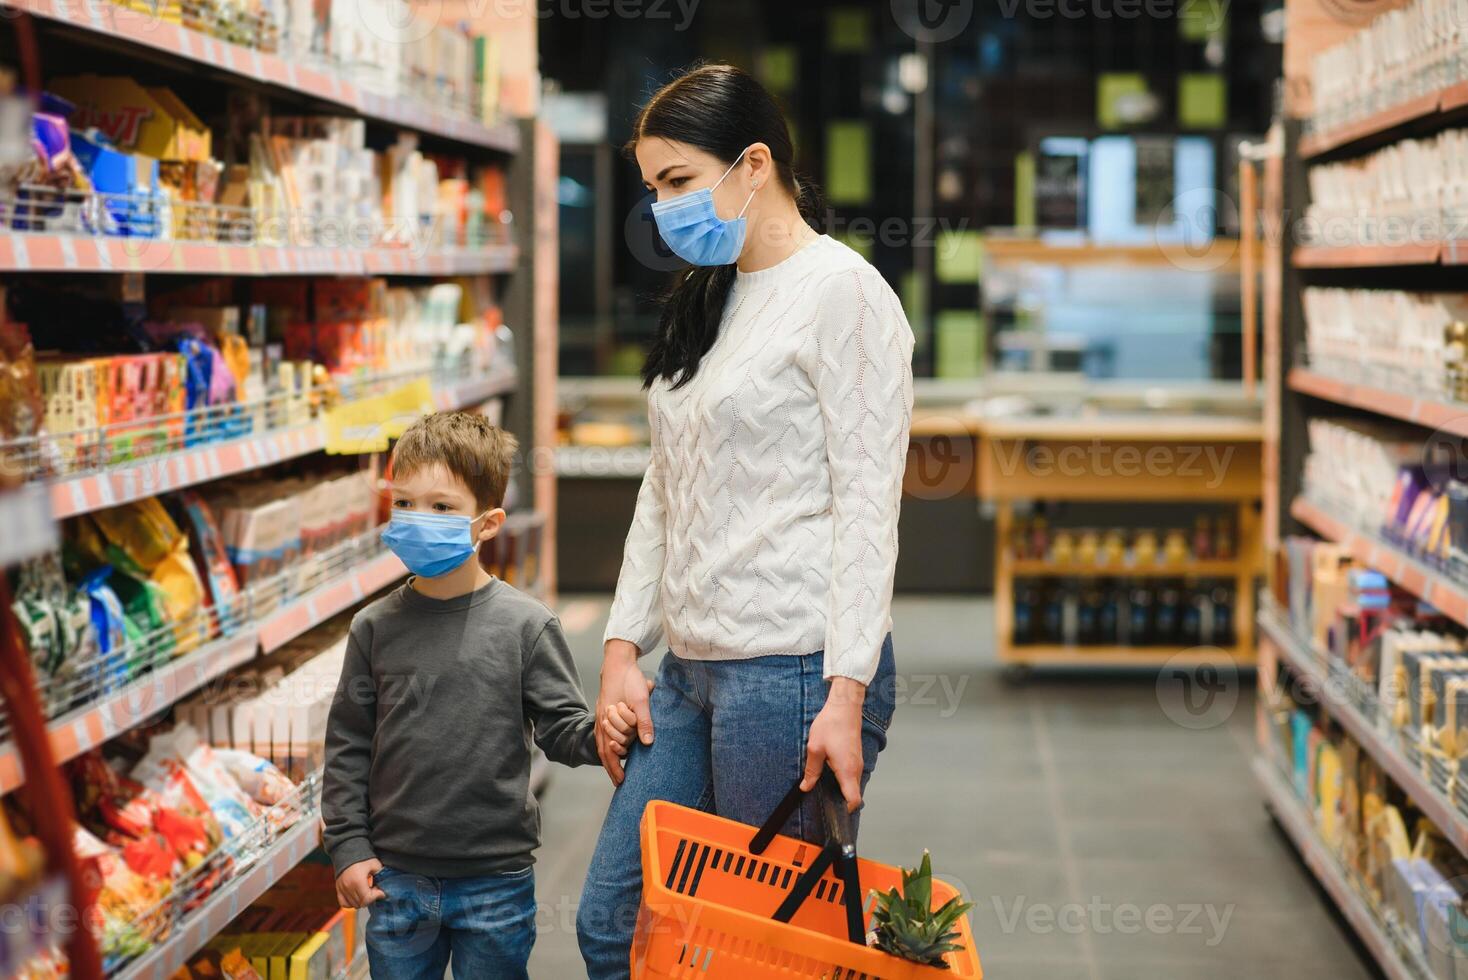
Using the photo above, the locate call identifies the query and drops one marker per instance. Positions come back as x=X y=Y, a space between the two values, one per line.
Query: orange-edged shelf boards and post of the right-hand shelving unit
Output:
x=1297 y=391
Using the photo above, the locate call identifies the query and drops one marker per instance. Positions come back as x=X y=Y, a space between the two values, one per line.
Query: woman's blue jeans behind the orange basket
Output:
x=729 y=739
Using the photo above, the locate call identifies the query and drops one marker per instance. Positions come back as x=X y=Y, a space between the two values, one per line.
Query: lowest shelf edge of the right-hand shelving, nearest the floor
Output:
x=1395 y=963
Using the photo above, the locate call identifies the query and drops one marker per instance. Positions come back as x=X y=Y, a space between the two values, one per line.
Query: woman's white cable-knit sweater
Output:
x=767 y=523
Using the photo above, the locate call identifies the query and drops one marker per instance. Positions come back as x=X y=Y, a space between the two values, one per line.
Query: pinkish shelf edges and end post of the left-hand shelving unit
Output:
x=278 y=610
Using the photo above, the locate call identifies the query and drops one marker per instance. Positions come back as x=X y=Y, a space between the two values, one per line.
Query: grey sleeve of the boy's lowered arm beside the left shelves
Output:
x=350 y=730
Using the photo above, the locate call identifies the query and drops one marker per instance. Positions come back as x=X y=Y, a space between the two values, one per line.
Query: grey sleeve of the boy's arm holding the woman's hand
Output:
x=564 y=728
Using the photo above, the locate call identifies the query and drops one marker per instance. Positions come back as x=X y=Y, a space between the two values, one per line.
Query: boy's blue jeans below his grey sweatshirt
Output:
x=487 y=925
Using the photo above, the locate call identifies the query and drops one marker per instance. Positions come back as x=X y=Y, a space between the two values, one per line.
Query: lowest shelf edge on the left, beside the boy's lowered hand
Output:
x=225 y=904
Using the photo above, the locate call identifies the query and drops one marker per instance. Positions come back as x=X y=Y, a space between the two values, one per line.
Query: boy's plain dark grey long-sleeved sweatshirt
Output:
x=428 y=746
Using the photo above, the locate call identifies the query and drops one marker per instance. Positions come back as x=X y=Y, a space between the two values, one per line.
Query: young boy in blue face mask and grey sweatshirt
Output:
x=428 y=806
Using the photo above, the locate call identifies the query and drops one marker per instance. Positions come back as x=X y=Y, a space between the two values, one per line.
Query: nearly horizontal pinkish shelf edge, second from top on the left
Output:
x=42 y=252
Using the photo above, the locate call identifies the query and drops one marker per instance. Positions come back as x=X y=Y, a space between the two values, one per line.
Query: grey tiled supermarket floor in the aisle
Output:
x=1099 y=838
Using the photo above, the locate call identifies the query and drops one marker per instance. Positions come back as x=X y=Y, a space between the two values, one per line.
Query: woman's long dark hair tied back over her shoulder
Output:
x=720 y=111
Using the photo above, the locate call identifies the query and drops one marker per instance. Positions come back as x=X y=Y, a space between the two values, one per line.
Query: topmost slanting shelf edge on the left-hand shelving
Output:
x=318 y=84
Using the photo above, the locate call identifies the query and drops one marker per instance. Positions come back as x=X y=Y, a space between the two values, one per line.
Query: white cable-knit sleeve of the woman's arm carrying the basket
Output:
x=861 y=362
